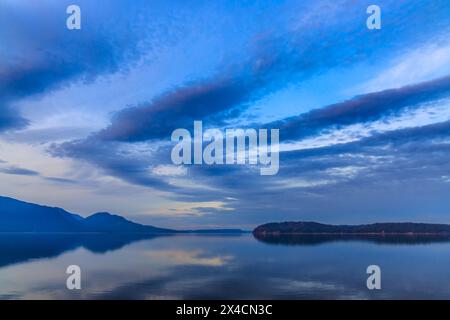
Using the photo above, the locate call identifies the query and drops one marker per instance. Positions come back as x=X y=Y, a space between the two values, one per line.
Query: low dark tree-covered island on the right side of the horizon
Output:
x=376 y=228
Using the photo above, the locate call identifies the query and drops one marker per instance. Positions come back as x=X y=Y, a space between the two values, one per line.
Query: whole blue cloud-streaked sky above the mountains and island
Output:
x=86 y=115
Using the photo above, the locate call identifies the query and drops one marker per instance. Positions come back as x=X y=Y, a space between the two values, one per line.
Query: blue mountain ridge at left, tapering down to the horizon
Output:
x=20 y=216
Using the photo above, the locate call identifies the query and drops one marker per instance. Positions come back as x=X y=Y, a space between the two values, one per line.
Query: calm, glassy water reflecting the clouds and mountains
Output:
x=210 y=267
